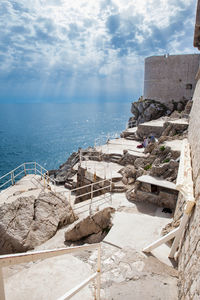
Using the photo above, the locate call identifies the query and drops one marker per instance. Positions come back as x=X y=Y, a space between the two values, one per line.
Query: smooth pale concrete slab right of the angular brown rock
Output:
x=137 y=231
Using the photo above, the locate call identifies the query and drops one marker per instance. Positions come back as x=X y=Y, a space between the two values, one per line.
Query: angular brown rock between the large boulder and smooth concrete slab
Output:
x=89 y=225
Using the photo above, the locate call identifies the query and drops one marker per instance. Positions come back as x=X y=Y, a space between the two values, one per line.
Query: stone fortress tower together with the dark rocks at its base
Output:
x=169 y=85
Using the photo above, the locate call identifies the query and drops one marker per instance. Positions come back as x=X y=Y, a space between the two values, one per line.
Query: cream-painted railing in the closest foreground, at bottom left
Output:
x=13 y=259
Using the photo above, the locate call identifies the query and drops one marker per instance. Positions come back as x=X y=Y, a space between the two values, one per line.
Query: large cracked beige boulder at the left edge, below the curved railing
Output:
x=30 y=221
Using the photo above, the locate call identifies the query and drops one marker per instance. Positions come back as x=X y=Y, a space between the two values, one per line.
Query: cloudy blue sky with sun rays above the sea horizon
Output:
x=87 y=50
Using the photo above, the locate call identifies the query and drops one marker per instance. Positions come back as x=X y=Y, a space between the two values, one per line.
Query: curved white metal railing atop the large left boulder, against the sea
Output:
x=26 y=168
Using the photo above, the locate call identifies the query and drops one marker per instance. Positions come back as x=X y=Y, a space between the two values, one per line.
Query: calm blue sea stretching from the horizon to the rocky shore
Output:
x=48 y=133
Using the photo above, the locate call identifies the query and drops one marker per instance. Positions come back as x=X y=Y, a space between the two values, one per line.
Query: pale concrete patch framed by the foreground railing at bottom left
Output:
x=49 y=279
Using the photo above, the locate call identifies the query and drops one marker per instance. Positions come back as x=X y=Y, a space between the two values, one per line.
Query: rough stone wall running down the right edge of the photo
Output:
x=189 y=257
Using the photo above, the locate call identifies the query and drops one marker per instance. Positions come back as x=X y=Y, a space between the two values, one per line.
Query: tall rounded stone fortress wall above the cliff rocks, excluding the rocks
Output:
x=170 y=77
